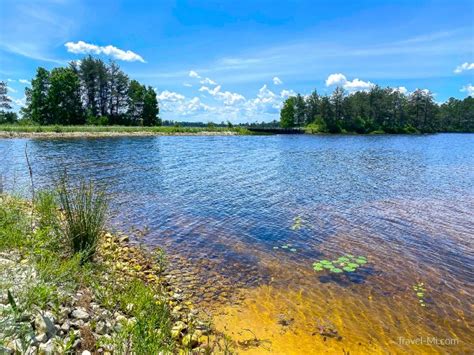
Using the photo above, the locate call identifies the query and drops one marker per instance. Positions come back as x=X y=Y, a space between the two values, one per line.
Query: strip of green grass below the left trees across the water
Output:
x=118 y=129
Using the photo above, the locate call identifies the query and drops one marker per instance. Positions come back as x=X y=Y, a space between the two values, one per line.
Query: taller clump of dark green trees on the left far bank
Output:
x=89 y=91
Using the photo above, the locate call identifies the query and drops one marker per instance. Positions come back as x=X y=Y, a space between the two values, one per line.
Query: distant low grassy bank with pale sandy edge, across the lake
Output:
x=12 y=130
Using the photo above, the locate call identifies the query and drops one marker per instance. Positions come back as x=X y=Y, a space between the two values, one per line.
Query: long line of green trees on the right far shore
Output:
x=377 y=110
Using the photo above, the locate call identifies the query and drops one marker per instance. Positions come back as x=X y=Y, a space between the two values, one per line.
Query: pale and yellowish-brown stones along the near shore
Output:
x=82 y=323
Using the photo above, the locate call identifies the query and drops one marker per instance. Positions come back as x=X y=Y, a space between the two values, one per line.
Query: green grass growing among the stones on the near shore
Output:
x=60 y=269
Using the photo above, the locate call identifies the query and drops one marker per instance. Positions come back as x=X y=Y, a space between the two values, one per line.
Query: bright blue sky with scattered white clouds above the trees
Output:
x=238 y=60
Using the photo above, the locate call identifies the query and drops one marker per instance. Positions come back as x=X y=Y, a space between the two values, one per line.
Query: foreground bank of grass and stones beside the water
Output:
x=101 y=295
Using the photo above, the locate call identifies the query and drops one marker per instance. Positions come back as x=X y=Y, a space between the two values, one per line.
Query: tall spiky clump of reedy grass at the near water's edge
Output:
x=84 y=208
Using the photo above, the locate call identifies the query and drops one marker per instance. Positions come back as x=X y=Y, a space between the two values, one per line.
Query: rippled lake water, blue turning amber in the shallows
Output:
x=224 y=206
